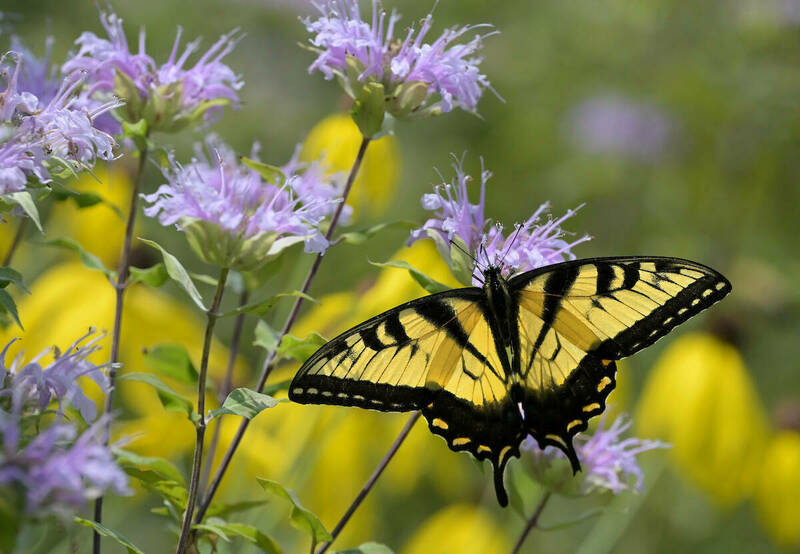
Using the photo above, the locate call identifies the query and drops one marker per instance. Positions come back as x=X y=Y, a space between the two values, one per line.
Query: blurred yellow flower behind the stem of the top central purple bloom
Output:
x=336 y=139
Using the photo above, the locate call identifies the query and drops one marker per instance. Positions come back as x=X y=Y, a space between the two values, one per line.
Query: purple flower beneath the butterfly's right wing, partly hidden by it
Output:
x=608 y=462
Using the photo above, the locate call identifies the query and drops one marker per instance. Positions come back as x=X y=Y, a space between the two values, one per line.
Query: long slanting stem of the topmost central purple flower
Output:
x=270 y=358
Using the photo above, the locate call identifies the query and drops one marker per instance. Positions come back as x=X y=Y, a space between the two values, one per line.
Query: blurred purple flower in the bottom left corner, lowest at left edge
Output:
x=58 y=473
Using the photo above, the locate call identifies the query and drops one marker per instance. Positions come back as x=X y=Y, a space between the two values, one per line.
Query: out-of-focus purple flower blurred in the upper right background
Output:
x=620 y=126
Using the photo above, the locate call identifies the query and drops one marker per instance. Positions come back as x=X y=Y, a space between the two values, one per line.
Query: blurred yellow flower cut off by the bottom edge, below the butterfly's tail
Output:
x=461 y=528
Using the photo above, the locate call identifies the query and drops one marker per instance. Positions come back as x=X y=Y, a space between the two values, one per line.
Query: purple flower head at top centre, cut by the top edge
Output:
x=411 y=71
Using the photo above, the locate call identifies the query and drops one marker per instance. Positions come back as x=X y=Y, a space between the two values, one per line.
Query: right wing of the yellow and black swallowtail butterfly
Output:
x=576 y=318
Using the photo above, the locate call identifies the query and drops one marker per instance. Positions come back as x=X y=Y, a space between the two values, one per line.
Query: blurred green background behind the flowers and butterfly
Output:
x=676 y=123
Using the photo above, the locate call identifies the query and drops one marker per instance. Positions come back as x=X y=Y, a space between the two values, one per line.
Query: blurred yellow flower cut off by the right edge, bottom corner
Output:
x=777 y=494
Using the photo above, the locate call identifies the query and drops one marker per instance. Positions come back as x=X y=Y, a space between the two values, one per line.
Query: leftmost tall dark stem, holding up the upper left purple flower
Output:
x=119 y=286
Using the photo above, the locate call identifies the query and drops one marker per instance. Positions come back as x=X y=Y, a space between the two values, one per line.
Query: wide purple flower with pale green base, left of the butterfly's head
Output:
x=233 y=216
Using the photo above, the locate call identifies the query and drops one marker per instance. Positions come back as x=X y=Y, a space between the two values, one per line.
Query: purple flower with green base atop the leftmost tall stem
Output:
x=169 y=97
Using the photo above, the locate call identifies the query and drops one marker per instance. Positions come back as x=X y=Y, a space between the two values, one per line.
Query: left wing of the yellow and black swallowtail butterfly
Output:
x=436 y=354
